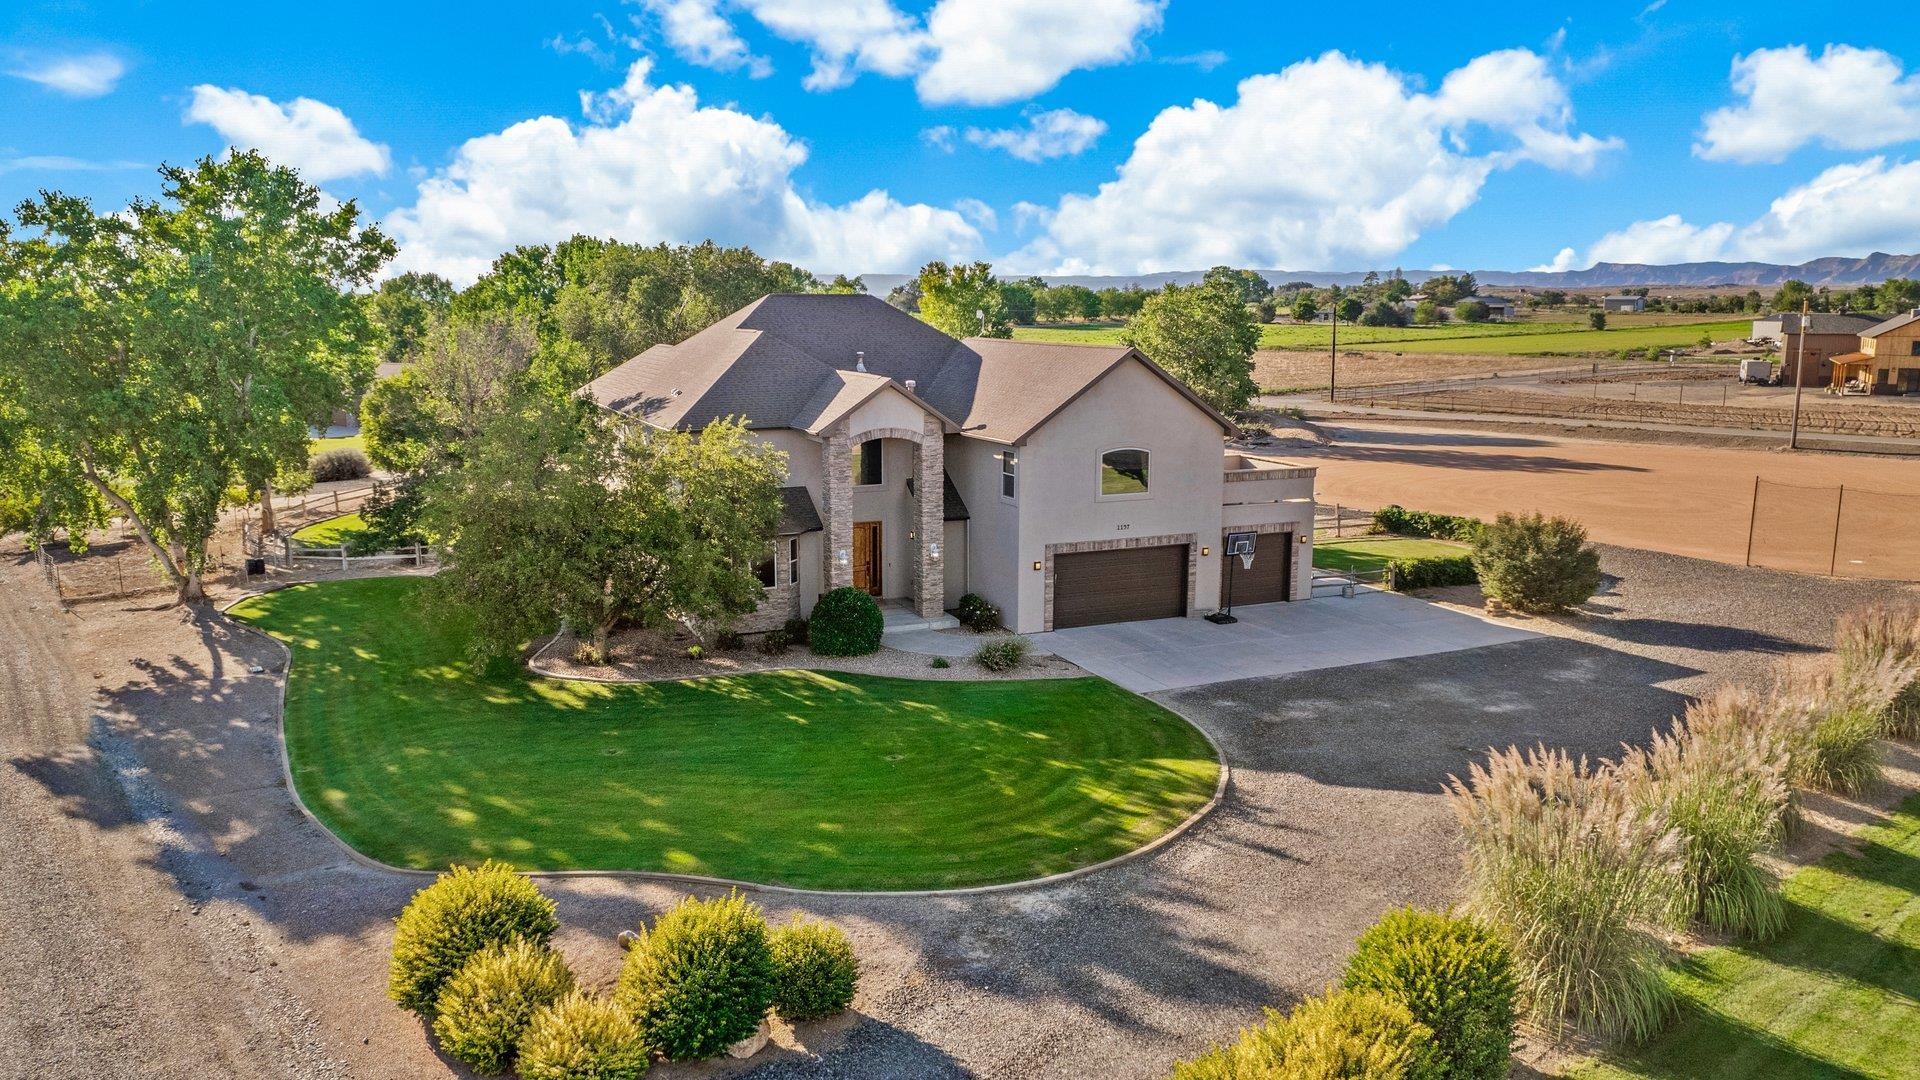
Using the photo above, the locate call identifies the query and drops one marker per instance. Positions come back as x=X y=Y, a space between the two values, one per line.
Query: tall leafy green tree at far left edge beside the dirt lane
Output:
x=170 y=355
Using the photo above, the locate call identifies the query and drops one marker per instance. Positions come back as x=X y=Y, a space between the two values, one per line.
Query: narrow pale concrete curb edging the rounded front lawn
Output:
x=665 y=877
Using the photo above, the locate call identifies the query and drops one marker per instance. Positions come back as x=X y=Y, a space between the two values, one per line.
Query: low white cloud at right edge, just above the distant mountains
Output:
x=1848 y=210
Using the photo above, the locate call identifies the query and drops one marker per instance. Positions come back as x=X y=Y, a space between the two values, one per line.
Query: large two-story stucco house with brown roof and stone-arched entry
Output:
x=1068 y=485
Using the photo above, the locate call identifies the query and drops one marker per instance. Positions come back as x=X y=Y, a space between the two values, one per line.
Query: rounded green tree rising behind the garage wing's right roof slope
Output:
x=1203 y=335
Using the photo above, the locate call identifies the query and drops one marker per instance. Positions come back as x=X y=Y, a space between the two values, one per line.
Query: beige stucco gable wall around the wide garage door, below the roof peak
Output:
x=1061 y=483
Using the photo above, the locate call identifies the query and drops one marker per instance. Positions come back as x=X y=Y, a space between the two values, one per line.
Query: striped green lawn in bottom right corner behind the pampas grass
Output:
x=1836 y=996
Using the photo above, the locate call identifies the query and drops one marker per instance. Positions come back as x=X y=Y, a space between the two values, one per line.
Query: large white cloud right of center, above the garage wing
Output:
x=1328 y=162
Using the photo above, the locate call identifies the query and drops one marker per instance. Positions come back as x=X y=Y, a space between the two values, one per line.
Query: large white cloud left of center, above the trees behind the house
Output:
x=654 y=164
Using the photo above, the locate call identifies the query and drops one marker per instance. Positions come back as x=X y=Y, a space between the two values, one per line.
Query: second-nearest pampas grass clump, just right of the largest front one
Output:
x=1721 y=783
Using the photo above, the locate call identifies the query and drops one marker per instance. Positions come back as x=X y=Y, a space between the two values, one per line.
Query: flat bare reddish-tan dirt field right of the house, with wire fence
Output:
x=1668 y=499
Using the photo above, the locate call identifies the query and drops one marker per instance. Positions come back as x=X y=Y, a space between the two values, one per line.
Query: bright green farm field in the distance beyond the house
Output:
x=1497 y=339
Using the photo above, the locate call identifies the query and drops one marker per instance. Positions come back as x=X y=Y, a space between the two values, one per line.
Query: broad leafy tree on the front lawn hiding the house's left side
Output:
x=558 y=516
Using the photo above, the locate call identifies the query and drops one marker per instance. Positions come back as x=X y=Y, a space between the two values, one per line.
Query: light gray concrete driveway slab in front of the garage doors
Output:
x=1272 y=639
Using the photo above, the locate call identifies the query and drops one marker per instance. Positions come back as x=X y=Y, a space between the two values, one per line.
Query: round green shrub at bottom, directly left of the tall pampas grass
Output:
x=1454 y=975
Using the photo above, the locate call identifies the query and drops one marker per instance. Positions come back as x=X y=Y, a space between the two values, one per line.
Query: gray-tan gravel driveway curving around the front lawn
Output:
x=1333 y=816
